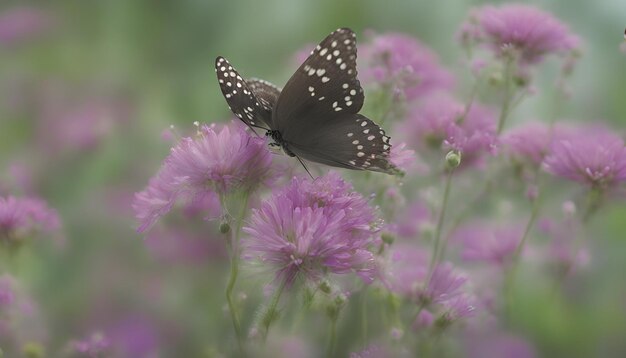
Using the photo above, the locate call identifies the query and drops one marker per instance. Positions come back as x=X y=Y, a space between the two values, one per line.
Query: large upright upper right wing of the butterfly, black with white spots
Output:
x=324 y=88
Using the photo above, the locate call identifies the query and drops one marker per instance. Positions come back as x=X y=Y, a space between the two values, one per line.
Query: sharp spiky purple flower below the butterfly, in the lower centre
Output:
x=309 y=228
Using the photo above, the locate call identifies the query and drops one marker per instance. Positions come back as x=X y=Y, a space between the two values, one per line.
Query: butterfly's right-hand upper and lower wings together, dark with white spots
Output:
x=317 y=111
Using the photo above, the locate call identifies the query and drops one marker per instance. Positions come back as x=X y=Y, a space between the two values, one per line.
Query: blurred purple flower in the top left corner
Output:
x=22 y=23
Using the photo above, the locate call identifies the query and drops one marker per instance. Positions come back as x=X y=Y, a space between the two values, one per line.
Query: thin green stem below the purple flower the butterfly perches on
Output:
x=234 y=271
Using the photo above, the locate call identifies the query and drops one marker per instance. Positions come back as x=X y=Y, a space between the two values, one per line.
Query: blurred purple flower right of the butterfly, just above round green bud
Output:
x=439 y=120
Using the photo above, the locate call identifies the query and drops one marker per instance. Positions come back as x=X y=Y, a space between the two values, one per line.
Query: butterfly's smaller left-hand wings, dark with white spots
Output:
x=251 y=102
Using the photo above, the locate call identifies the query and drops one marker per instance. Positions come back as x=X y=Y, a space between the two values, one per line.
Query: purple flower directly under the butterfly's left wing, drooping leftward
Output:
x=220 y=161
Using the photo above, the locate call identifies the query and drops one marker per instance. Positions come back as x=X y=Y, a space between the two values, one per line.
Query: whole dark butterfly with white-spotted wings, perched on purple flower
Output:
x=316 y=115
